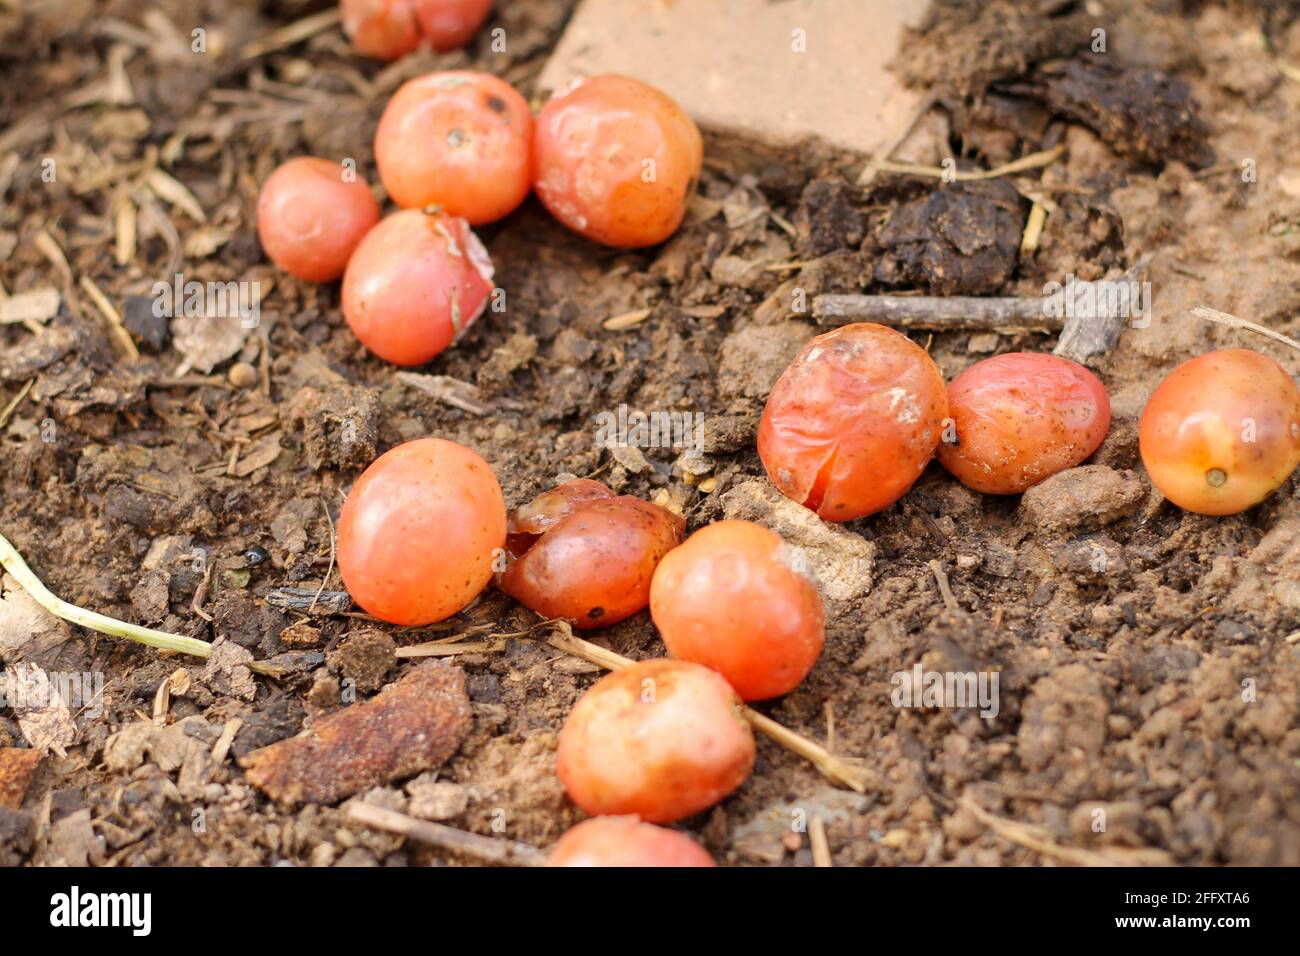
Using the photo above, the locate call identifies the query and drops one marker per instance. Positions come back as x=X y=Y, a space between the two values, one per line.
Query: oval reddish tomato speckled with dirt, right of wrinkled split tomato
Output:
x=1021 y=418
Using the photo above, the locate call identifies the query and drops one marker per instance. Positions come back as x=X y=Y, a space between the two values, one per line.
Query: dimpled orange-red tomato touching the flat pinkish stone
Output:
x=617 y=161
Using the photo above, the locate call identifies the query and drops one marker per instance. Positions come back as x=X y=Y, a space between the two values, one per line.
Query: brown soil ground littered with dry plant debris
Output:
x=1158 y=685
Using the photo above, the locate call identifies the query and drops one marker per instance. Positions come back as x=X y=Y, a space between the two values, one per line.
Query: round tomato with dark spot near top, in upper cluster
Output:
x=462 y=141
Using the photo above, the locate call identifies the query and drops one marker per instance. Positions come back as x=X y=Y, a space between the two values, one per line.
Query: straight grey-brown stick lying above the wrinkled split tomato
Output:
x=938 y=313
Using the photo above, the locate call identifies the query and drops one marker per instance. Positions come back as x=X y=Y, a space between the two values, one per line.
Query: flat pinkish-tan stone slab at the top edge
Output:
x=756 y=73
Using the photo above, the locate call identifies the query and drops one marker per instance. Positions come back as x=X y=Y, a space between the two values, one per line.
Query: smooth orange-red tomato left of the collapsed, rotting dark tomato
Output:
x=419 y=533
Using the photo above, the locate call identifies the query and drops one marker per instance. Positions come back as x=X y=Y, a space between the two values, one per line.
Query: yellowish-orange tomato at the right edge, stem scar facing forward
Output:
x=1223 y=432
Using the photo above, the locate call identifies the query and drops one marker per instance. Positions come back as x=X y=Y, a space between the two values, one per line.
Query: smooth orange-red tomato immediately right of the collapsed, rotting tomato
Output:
x=729 y=600
